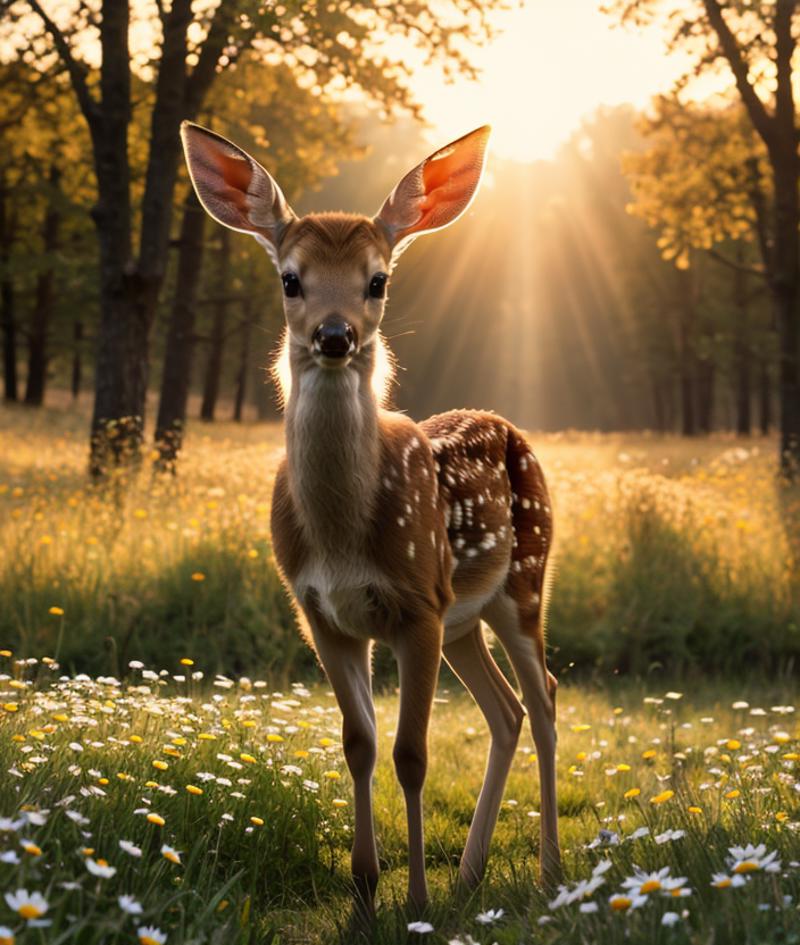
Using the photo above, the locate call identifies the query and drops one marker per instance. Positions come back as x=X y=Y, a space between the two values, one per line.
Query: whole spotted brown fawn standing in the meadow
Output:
x=385 y=529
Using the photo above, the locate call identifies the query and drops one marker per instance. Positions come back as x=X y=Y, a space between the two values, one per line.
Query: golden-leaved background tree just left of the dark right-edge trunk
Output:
x=703 y=184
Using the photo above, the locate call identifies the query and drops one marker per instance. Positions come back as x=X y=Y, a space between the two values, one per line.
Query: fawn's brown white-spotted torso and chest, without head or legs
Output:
x=461 y=517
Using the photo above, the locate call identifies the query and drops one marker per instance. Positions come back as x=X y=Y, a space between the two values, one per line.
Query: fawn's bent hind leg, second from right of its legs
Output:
x=471 y=661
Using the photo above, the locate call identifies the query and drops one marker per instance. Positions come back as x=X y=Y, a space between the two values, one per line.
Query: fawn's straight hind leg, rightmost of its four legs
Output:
x=525 y=647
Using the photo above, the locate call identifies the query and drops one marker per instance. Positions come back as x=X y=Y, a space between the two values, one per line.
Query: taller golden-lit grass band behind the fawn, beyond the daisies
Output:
x=670 y=554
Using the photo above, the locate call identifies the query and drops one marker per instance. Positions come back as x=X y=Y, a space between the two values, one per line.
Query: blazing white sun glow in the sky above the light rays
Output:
x=552 y=64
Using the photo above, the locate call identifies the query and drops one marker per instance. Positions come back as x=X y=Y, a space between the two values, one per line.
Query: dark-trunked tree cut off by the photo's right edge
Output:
x=755 y=42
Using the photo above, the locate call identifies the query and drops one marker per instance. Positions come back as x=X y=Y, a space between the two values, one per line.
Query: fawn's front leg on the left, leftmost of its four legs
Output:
x=346 y=662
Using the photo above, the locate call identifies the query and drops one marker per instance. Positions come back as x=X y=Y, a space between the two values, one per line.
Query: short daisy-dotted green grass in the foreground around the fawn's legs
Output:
x=89 y=747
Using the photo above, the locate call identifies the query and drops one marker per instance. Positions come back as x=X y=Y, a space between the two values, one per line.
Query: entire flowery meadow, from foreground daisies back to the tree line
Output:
x=172 y=758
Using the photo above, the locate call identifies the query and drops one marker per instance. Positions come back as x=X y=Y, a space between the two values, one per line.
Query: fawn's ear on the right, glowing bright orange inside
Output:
x=437 y=191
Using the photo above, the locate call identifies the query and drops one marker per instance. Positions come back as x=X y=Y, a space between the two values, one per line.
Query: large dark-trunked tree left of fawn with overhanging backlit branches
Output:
x=330 y=44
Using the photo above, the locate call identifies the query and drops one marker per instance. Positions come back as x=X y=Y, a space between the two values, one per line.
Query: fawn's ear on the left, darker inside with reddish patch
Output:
x=234 y=188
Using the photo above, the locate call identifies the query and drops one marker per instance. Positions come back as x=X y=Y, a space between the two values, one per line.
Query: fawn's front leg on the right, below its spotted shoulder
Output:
x=418 y=651
